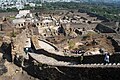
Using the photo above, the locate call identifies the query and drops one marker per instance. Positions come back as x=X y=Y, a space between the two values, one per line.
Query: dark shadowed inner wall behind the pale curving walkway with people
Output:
x=115 y=58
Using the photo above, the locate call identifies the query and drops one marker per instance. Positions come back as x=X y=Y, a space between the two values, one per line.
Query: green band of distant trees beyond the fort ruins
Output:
x=109 y=11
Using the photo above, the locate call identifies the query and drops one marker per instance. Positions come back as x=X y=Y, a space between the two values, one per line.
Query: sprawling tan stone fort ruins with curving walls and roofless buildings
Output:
x=62 y=43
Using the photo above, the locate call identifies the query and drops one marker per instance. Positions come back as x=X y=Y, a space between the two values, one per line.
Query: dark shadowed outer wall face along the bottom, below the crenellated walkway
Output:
x=43 y=72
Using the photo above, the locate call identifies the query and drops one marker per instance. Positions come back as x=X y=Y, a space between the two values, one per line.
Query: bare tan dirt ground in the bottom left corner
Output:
x=15 y=73
